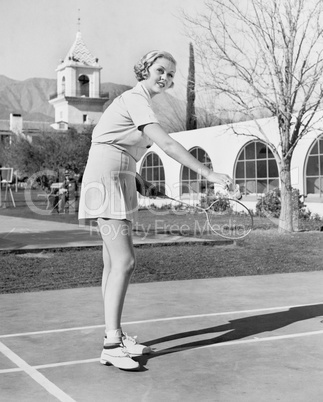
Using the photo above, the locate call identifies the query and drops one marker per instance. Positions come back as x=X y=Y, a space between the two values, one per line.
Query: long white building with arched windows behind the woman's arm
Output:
x=235 y=150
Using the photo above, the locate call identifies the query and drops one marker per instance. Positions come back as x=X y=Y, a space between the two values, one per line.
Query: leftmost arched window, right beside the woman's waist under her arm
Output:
x=152 y=170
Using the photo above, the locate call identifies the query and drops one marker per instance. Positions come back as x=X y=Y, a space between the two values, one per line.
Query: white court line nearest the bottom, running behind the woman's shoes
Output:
x=179 y=349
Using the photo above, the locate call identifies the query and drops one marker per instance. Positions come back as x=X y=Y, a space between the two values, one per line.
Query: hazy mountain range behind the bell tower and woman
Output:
x=30 y=99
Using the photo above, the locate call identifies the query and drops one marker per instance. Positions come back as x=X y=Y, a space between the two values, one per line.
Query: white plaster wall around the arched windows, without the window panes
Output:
x=223 y=143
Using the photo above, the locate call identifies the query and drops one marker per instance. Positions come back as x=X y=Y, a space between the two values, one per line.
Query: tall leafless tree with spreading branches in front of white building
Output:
x=265 y=56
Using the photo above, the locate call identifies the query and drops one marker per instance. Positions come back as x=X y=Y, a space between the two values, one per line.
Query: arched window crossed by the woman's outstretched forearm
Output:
x=192 y=182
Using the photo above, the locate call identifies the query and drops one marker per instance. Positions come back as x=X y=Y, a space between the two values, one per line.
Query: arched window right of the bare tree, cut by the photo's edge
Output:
x=314 y=169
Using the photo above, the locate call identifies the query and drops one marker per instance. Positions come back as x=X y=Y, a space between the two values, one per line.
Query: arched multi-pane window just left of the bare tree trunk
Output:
x=256 y=169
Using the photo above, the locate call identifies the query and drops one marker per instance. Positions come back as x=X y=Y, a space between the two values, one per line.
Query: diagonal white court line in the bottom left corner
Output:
x=35 y=375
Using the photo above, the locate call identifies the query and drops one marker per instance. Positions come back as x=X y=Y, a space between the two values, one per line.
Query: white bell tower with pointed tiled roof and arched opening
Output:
x=78 y=100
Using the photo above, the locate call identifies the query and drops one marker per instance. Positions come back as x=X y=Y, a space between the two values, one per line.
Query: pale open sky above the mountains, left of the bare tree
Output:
x=36 y=34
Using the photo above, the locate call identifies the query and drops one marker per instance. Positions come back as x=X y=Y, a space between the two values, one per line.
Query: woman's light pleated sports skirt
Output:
x=108 y=186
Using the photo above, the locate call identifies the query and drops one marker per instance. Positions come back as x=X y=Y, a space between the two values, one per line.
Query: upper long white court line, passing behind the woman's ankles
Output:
x=184 y=317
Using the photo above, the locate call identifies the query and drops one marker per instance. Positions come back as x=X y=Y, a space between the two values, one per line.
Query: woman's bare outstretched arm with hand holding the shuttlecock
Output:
x=176 y=151
